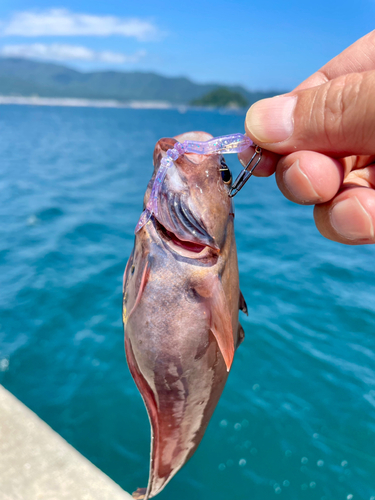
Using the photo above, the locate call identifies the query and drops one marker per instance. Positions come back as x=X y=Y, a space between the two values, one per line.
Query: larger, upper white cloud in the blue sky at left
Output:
x=62 y=22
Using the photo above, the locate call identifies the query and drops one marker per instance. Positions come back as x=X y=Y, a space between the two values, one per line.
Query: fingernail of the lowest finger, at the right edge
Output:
x=350 y=220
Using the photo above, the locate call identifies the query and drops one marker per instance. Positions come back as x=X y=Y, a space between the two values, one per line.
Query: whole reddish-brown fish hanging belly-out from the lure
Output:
x=181 y=302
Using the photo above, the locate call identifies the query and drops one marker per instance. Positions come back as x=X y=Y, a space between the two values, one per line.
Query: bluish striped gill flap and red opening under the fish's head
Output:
x=180 y=228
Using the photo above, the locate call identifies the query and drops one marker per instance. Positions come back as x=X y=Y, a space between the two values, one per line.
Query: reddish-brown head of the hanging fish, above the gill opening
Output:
x=193 y=205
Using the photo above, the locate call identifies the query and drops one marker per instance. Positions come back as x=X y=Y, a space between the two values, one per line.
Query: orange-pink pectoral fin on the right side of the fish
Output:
x=219 y=316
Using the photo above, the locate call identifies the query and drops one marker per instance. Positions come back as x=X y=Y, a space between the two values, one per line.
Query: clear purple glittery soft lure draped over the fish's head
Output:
x=234 y=143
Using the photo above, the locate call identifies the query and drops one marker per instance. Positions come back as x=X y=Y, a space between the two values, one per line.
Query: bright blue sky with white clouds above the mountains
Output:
x=261 y=45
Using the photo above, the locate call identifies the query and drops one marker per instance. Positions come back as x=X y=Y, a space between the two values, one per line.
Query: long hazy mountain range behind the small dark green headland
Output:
x=26 y=78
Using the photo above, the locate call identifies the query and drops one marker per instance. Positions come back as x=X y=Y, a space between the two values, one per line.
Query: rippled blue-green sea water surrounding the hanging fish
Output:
x=297 y=417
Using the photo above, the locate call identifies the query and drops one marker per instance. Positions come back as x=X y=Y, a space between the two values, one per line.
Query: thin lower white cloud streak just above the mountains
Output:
x=62 y=52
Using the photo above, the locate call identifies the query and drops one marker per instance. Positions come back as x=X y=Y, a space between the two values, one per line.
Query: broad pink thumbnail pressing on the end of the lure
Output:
x=271 y=120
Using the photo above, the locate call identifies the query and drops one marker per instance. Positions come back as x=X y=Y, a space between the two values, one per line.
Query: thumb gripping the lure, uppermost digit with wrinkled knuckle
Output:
x=336 y=118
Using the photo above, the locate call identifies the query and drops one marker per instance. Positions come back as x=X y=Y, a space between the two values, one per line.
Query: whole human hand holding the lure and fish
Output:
x=324 y=131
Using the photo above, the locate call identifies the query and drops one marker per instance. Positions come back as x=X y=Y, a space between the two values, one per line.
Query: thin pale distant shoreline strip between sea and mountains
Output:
x=105 y=103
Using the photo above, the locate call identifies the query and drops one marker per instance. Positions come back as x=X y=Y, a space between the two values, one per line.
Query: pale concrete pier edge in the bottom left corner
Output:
x=36 y=463
